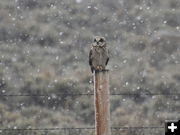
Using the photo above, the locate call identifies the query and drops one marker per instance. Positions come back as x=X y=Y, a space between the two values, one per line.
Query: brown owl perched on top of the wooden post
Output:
x=98 y=55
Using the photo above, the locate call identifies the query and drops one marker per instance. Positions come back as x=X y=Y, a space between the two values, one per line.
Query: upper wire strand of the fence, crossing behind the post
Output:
x=89 y=94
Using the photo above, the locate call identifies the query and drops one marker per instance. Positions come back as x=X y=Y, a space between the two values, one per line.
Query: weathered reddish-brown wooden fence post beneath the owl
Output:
x=102 y=105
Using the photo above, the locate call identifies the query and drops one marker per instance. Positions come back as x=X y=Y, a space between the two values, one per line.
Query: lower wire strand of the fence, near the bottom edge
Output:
x=77 y=128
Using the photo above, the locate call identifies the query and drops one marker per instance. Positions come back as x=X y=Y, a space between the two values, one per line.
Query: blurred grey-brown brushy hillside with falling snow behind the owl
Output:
x=44 y=48
